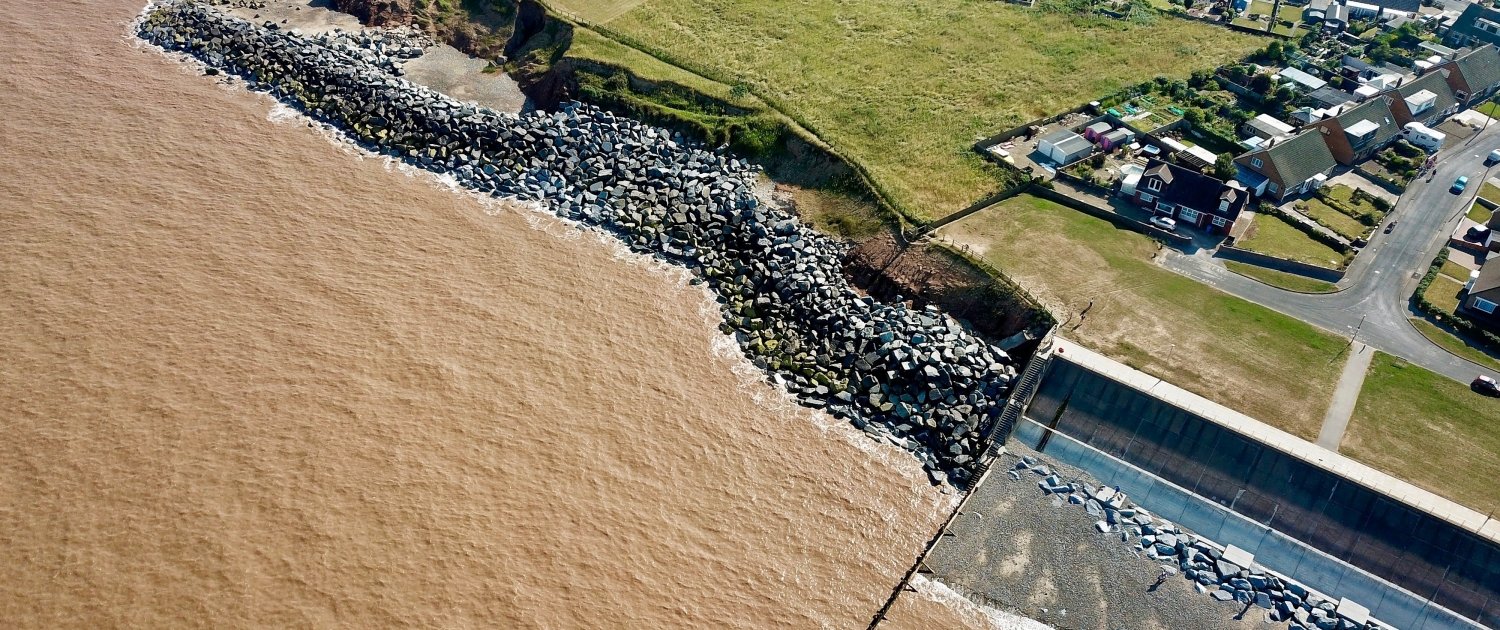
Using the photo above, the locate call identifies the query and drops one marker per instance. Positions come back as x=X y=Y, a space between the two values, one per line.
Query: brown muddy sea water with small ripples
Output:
x=250 y=379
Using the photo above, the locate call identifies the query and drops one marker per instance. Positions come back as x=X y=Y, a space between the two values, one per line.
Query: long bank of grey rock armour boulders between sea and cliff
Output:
x=914 y=377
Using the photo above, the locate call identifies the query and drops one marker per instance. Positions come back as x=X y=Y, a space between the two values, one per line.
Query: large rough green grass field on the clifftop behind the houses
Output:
x=907 y=88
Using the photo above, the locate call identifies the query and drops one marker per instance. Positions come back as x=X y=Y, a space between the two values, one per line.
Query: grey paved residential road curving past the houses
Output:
x=1376 y=292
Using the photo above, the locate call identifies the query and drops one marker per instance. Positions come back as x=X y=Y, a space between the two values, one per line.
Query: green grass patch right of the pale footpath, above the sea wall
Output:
x=1430 y=431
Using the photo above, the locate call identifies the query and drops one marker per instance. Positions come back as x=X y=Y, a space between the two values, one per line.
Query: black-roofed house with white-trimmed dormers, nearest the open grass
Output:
x=1189 y=197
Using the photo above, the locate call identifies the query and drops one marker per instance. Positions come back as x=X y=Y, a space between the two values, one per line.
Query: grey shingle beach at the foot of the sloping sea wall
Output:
x=1019 y=550
